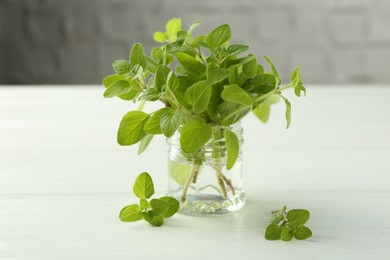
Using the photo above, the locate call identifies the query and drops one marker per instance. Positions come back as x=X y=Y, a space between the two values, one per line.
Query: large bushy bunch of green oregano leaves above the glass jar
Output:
x=212 y=84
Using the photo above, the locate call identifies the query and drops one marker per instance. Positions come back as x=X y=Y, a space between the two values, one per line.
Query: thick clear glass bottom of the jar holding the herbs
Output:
x=211 y=205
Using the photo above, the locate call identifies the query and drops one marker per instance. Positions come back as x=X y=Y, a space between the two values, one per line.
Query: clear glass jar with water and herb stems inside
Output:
x=200 y=181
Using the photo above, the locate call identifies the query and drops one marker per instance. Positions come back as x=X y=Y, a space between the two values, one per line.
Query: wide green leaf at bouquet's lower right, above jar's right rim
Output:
x=231 y=112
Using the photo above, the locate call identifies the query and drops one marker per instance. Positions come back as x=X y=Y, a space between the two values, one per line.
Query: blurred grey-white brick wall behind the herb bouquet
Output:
x=74 y=41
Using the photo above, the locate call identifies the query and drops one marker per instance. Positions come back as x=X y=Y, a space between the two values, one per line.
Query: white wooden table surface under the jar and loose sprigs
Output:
x=63 y=180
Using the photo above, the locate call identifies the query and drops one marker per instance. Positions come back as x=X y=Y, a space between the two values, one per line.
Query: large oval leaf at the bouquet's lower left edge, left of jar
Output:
x=131 y=128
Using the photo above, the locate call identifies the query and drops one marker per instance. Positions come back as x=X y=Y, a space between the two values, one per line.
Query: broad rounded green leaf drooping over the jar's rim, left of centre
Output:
x=194 y=135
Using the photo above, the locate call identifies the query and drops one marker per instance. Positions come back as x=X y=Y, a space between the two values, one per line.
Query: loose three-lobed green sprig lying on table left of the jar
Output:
x=153 y=211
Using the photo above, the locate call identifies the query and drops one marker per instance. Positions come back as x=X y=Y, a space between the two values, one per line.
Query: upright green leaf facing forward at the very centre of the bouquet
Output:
x=198 y=95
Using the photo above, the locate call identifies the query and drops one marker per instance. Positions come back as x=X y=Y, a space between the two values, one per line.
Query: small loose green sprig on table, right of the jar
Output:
x=286 y=225
